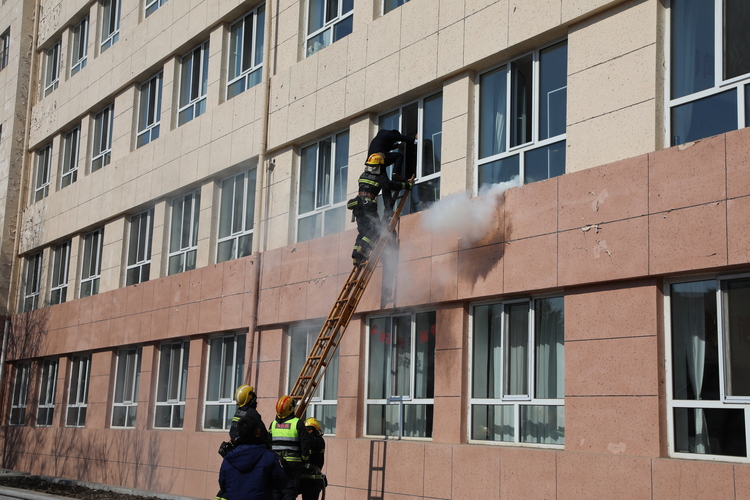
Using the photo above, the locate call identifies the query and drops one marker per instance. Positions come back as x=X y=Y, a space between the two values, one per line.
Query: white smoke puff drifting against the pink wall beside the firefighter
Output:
x=469 y=219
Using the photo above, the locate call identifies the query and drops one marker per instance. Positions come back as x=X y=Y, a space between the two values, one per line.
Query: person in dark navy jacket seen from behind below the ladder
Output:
x=250 y=471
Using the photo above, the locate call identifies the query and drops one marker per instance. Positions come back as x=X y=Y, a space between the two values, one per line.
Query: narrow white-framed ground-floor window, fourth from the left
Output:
x=127 y=377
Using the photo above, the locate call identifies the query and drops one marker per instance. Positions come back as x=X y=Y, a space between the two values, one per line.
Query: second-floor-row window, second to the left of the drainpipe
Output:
x=183 y=241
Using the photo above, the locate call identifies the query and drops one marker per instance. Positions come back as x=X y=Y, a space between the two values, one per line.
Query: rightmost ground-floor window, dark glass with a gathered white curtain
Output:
x=709 y=395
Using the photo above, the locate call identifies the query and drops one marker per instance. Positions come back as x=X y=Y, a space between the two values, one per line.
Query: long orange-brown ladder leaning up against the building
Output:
x=335 y=325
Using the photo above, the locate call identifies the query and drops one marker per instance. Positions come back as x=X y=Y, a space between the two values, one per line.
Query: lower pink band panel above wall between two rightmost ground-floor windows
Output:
x=606 y=252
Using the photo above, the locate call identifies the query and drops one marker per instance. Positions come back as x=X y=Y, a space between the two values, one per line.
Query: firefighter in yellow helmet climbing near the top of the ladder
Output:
x=365 y=208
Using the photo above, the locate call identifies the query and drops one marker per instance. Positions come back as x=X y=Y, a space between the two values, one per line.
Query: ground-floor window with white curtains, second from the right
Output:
x=517 y=372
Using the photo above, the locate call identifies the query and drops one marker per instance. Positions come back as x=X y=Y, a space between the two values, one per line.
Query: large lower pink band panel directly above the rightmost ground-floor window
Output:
x=689 y=239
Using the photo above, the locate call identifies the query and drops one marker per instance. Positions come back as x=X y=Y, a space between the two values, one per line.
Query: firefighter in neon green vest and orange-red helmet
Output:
x=291 y=443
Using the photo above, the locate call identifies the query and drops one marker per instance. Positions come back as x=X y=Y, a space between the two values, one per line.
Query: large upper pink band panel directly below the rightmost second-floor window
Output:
x=687 y=175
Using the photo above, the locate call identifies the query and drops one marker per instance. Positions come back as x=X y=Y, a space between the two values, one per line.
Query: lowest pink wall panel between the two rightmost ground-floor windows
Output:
x=612 y=425
